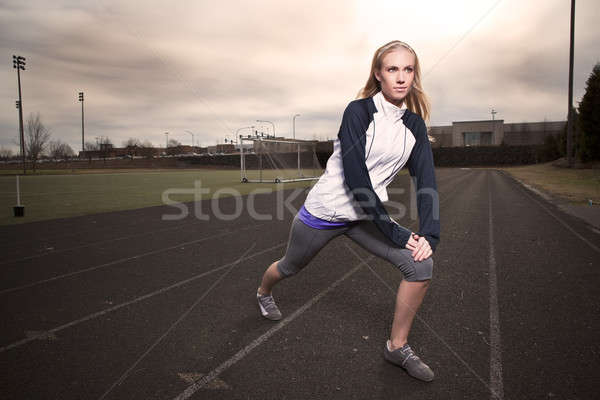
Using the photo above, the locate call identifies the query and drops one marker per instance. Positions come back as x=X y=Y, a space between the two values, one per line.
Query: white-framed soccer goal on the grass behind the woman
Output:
x=278 y=160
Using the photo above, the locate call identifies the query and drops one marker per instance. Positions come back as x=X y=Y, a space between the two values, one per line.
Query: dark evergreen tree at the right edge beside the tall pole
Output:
x=589 y=110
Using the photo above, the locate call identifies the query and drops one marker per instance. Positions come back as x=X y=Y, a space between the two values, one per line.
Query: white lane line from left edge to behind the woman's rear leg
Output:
x=136 y=300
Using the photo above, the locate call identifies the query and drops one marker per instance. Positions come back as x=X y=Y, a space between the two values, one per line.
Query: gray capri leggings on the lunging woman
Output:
x=305 y=242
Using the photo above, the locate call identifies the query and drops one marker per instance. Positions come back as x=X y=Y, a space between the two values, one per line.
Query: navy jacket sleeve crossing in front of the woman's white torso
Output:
x=352 y=138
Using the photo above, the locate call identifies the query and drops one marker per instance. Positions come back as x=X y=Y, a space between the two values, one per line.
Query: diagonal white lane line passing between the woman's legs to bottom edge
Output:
x=187 y=393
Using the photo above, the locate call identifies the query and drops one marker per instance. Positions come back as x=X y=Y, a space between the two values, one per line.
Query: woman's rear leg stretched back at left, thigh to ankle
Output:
x=304 y=243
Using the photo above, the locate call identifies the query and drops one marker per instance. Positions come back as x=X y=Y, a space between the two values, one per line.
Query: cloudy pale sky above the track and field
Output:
x=213 y=67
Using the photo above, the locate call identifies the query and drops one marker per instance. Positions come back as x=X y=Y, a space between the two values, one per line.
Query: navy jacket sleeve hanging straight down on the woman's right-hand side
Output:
x=422 y=170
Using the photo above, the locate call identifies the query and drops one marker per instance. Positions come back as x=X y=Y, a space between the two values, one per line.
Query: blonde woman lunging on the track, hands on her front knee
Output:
x=381 y=131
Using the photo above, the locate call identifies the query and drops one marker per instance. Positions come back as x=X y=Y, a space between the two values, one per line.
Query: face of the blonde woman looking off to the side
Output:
x=396 y=75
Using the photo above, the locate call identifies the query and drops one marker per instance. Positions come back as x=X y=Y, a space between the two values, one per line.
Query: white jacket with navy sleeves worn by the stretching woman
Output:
x=376 y=139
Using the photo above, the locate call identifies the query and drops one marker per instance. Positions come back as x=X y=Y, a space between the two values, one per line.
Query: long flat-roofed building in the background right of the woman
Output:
x=493 y=133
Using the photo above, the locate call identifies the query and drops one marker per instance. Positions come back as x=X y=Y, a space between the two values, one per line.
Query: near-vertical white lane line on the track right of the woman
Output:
x=497 y=387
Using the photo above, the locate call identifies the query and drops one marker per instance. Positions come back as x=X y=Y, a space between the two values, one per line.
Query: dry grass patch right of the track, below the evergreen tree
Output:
x=574 y=185
